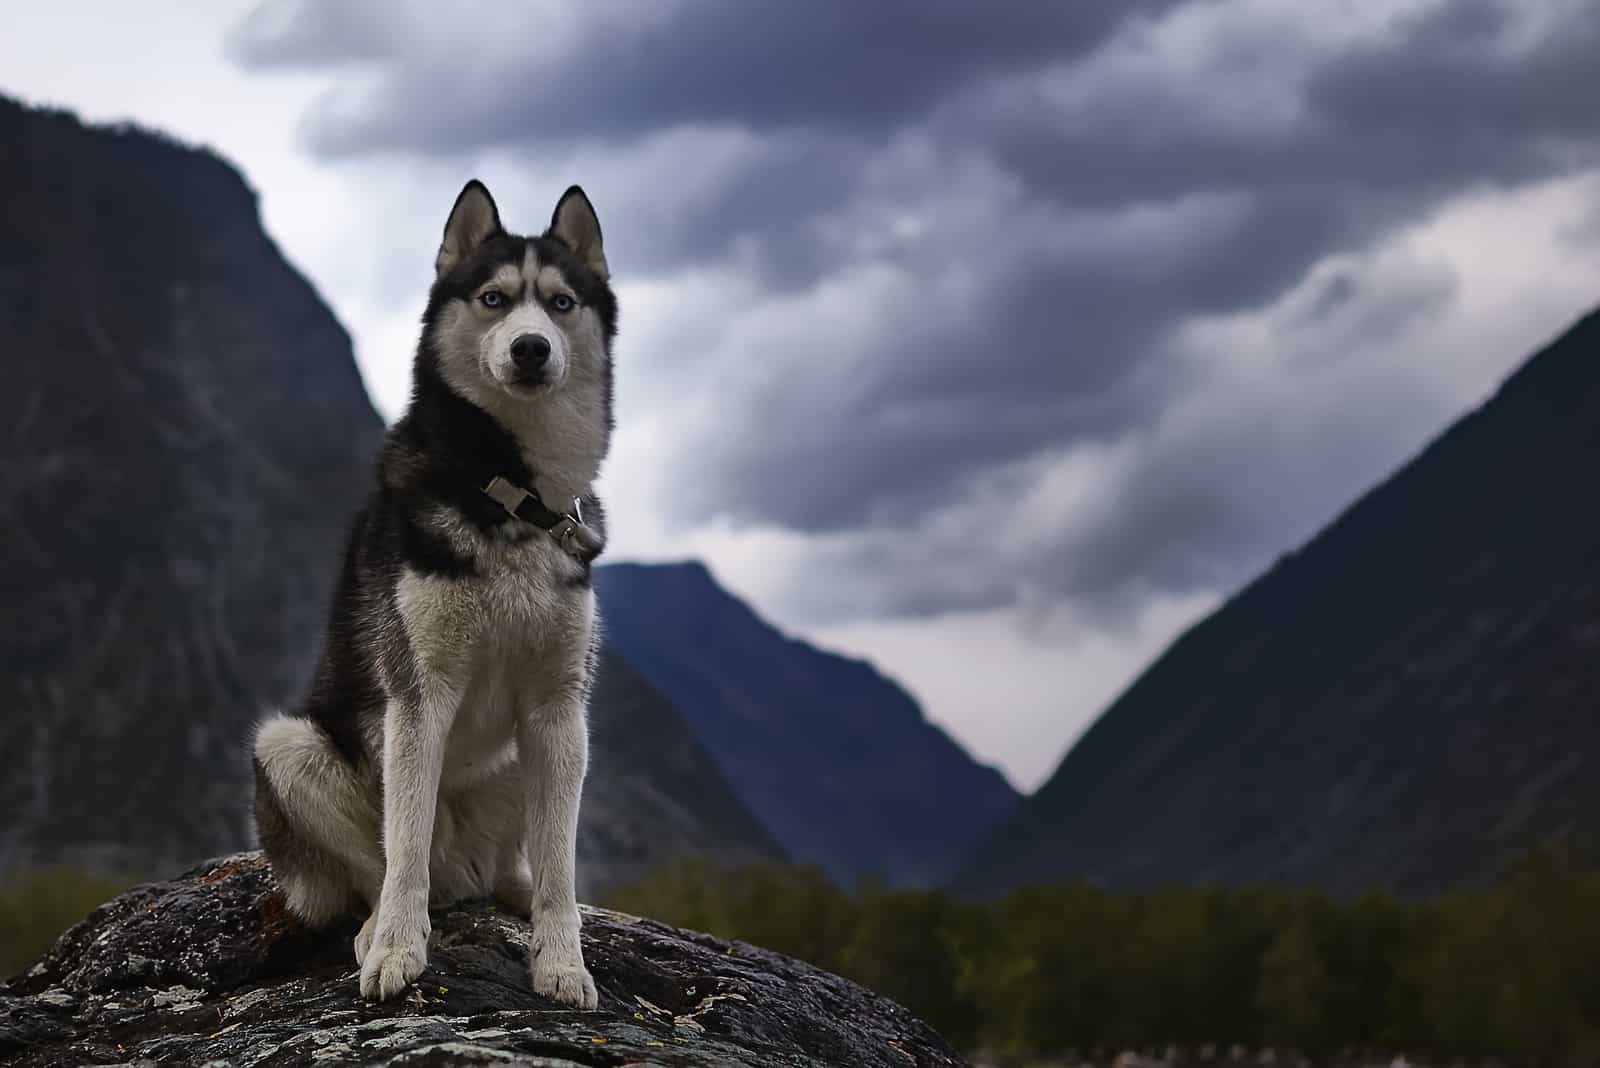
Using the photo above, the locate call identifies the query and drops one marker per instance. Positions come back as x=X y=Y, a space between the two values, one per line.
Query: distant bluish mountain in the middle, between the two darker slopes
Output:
x=834 y=759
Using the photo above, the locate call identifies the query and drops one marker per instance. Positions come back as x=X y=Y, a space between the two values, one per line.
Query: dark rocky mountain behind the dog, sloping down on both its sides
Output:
x=188 y=437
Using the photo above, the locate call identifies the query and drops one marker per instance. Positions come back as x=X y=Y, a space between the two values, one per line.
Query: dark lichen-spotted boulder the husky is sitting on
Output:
x=212 y=970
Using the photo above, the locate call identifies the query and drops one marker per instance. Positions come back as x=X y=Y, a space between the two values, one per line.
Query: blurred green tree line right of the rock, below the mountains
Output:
x=1506 y=973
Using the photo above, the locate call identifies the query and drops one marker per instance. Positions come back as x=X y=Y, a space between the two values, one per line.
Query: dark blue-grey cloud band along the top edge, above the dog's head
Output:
x=625 y=71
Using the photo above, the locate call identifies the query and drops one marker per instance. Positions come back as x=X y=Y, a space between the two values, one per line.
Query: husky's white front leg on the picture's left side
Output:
x=415 y=731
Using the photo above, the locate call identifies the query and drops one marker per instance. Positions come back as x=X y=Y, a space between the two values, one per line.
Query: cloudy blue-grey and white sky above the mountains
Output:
x=991 y=341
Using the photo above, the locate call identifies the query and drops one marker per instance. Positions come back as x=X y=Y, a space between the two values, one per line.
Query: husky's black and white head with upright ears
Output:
x=513 y=319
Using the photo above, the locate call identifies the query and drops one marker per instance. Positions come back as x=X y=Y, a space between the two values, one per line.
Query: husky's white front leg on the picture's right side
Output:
x=554 y=746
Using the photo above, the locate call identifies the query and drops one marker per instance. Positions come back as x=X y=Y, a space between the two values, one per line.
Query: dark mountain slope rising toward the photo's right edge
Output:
x=1407 y=703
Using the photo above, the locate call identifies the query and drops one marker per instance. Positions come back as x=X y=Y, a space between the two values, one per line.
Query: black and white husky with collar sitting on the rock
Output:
x=444 y=746
